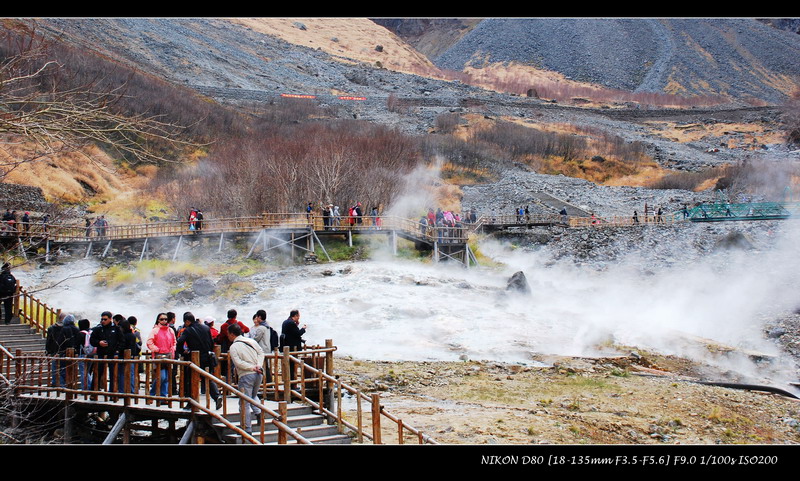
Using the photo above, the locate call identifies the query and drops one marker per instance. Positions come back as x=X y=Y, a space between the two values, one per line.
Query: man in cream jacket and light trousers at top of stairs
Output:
x=248 y=358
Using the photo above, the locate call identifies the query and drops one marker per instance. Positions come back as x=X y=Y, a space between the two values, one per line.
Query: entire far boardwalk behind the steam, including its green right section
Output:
x=293 y=232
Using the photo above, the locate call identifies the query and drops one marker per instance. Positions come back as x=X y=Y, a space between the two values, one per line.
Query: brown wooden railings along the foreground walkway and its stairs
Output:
x=109 y=380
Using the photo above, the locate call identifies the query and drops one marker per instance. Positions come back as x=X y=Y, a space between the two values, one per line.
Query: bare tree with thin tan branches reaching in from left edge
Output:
x=37 y=105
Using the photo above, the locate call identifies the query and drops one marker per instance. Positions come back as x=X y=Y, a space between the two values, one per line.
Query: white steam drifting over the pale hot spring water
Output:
x=393 y=309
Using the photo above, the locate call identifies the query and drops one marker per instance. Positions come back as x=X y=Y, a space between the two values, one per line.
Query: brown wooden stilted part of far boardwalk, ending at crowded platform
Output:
x=291 y=232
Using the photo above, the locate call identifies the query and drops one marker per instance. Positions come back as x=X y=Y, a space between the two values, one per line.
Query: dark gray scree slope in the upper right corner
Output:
x=742 y=58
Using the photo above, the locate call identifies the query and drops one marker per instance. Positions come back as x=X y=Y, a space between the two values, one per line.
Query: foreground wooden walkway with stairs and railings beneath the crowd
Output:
x=305 y=407
